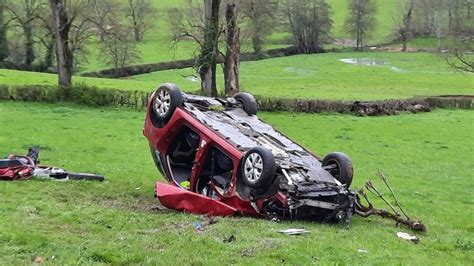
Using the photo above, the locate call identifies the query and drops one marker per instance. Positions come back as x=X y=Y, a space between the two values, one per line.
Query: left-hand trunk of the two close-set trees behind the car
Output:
x=207 y=60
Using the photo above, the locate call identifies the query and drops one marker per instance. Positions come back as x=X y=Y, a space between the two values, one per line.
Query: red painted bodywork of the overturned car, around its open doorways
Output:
x=176 y=197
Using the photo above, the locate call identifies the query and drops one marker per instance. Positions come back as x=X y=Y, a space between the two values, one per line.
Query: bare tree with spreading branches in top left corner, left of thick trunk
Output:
x=23 y=14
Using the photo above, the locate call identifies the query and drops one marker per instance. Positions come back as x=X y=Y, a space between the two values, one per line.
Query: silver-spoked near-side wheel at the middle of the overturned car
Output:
x=258 y=168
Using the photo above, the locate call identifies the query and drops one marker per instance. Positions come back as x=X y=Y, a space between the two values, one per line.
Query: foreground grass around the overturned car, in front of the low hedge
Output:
x=428 y=158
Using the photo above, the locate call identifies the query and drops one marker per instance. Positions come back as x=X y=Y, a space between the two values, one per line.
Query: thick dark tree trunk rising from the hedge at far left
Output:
x=64 y=55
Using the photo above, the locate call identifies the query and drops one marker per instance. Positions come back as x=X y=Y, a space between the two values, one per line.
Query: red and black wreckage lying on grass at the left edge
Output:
x=20 y=167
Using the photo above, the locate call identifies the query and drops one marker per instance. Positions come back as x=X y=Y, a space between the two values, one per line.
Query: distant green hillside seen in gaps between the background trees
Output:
x=157 y=45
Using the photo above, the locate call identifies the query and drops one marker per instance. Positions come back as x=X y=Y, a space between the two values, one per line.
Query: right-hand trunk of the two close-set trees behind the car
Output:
x=232 y=58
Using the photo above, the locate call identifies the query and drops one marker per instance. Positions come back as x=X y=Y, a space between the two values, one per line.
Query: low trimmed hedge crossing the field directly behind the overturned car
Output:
x=93 y=96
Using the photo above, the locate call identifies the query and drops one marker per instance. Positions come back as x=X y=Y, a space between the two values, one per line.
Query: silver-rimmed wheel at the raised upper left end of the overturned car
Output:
x=167 y=98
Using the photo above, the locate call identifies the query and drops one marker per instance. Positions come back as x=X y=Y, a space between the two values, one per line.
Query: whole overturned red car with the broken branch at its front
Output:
x=220 y=159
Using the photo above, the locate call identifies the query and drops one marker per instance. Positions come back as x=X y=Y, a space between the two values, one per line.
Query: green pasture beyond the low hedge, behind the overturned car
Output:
x=320 y=76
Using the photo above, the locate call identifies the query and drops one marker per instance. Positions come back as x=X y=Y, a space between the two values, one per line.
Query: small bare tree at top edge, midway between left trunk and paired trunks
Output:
x=139 y=13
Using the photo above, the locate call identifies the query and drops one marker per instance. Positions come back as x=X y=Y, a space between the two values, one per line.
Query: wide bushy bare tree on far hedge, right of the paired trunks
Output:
x=310 y=24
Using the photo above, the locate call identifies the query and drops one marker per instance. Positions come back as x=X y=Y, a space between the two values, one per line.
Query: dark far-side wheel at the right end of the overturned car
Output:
x=340 y=166
